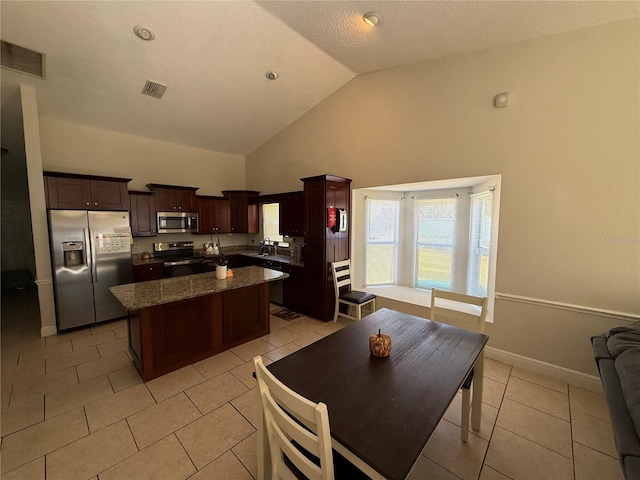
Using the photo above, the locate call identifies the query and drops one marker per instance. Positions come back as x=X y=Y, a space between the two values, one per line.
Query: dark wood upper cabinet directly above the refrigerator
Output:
x=68 y=191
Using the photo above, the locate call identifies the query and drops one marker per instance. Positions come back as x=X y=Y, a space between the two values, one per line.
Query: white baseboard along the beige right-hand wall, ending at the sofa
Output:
x=572 y=377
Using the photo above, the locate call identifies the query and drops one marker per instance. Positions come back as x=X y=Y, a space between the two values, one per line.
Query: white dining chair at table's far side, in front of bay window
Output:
x=472 y=311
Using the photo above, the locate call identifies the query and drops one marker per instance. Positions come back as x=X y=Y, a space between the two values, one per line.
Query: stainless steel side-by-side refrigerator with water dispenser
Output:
x=90 y=252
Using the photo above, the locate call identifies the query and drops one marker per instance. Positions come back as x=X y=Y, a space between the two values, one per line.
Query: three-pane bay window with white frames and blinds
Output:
x=420 y=236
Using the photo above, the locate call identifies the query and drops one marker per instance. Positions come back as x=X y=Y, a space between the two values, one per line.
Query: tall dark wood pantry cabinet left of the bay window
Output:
x=322 y=244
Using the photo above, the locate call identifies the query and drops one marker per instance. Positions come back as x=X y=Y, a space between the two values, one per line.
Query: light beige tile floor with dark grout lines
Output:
x=73 y=407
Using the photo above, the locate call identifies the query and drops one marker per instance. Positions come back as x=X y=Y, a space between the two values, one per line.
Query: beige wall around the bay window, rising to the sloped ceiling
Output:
x=567 y=148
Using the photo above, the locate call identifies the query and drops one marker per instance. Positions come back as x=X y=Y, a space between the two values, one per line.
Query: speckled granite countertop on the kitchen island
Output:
x=134 y=296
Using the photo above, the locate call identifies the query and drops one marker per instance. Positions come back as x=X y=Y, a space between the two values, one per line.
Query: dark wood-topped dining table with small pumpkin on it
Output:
x=382 y=411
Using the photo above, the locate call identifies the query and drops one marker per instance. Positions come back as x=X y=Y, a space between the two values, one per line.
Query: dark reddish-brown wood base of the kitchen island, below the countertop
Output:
x=167 y=337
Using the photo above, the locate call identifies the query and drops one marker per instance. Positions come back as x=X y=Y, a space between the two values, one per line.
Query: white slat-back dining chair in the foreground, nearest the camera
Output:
x=297 y=431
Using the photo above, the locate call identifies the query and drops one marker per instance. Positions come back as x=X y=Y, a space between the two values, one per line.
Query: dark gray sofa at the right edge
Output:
x=617 y=353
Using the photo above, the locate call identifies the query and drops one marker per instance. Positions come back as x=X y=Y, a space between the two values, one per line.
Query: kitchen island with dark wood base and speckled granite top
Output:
x=174 y=322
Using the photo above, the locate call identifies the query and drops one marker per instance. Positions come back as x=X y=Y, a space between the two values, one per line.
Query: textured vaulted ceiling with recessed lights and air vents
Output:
x=213 y=56
